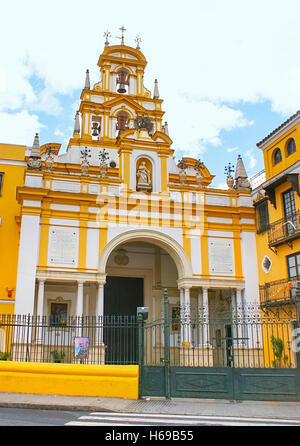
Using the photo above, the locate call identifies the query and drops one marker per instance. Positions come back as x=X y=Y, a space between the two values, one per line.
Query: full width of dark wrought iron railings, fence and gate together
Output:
x=196 y=337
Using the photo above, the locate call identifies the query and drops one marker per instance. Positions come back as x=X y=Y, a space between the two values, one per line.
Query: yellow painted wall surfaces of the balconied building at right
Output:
x=281 y=328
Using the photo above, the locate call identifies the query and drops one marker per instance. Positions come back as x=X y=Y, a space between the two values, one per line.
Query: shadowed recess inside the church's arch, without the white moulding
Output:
x=136 y=274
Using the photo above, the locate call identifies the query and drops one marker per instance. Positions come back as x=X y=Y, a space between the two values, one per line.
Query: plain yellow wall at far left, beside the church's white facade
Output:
x=9 y=210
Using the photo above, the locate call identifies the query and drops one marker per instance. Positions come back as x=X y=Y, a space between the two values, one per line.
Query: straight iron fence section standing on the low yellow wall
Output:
x=88 y=339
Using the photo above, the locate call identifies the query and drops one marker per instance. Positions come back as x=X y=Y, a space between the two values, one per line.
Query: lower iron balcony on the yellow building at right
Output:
x=279 y=292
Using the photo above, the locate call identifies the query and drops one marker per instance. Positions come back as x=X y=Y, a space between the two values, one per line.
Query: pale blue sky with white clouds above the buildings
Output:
x=228 y=71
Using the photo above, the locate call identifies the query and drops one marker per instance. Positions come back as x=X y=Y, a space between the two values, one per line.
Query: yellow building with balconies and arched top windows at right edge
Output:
x=277 y=204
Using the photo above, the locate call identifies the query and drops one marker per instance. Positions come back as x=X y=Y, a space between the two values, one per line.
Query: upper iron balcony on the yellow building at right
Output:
x=285 y=230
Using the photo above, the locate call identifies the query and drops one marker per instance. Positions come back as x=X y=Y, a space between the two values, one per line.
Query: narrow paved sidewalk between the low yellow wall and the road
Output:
x=182 y=406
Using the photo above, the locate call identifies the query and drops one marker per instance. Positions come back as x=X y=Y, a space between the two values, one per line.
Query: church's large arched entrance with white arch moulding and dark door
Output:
x=138 y=266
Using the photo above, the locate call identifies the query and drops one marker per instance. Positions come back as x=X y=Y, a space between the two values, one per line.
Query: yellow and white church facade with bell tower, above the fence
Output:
x=108 y=224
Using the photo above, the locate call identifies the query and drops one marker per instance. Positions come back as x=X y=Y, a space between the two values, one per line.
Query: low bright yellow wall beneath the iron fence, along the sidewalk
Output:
x=70 y=379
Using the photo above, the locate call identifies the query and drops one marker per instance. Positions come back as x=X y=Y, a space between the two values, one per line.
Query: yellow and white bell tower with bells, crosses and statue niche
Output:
x=120 y=115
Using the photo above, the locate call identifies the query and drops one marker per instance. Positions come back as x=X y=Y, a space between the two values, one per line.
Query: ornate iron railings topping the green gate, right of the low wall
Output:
x=240 y=337
